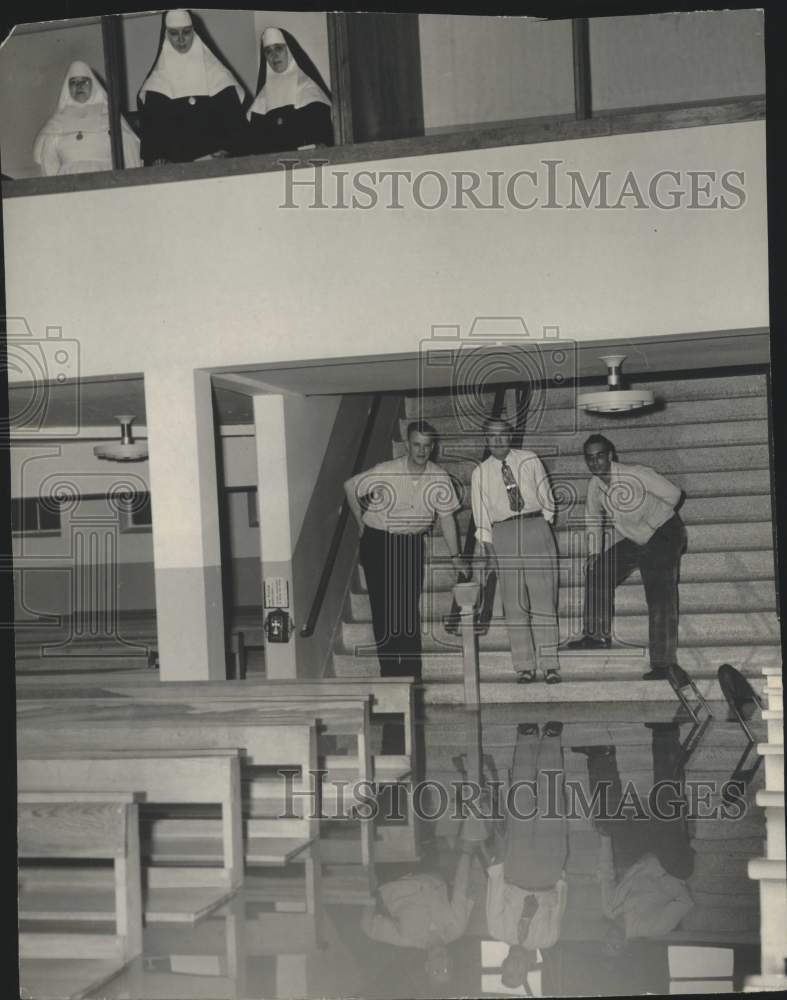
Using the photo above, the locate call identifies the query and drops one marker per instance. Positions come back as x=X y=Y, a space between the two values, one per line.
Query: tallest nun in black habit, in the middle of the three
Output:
x=191 y=105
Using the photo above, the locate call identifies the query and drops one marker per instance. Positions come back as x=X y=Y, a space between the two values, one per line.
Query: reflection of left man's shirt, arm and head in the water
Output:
x=417 y=913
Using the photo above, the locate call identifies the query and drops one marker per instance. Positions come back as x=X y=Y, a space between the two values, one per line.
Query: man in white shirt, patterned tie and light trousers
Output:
x=513 y=511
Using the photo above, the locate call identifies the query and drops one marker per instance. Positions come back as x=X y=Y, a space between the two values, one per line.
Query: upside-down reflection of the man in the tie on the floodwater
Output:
x=526 y=891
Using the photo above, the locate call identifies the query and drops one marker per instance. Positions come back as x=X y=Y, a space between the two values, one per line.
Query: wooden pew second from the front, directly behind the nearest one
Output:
x=164 y=776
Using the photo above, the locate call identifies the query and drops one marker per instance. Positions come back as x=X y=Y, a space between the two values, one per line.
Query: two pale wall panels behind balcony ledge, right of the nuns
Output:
x=486 y=69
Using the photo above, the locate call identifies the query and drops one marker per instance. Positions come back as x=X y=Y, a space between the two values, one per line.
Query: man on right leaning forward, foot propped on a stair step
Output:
x=647 y=534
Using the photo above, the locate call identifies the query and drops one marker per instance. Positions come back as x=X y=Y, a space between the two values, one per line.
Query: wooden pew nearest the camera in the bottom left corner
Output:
x=63 y=825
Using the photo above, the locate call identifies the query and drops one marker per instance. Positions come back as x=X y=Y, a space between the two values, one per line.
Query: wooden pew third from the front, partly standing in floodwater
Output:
x=268 y=739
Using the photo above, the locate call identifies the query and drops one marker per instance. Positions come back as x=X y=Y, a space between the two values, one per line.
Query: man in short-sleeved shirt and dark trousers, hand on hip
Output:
x=401 y=500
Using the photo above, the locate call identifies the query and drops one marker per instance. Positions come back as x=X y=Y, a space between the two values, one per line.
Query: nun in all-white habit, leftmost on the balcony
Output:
x=76 y=140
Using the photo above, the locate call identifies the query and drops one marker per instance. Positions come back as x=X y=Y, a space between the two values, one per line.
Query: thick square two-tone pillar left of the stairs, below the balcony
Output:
x=186 y=549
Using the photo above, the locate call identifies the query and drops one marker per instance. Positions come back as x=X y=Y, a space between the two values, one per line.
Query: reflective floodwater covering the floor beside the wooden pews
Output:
x=616 y=866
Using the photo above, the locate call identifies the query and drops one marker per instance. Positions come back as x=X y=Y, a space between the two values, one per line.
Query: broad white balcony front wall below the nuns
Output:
x=215 y=272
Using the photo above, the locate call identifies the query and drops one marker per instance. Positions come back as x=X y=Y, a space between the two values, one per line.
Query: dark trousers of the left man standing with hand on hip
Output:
x=394 y=569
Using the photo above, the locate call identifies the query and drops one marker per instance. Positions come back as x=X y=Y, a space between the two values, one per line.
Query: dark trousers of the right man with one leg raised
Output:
x=659 y=564
